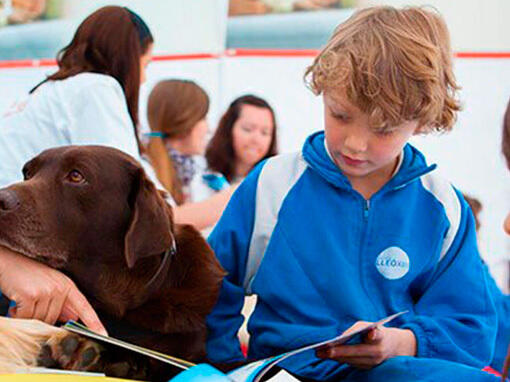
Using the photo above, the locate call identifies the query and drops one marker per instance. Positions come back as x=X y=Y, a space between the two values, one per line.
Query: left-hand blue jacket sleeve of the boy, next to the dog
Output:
x=230 y=240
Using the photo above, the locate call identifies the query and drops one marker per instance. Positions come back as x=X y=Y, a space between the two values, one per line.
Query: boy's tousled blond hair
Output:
x=394 y=64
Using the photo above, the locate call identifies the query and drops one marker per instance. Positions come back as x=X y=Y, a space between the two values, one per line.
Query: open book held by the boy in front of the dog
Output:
x=252 y=372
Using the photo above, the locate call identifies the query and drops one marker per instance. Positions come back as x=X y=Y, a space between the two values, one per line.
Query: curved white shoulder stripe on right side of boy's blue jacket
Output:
x=444 y=192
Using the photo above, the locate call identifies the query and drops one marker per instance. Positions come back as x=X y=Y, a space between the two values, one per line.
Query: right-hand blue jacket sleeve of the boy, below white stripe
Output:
x=455 y=318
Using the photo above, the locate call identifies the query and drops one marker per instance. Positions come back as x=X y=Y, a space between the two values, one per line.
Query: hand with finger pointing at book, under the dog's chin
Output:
x=43 y=293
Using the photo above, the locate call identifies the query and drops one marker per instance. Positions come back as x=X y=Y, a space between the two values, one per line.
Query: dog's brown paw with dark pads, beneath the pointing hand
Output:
x=70 y=351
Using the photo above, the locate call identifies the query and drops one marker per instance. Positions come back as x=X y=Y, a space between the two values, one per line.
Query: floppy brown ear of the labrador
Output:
x=150 y=230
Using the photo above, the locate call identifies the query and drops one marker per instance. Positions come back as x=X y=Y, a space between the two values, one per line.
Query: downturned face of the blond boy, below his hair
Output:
x=359 y=151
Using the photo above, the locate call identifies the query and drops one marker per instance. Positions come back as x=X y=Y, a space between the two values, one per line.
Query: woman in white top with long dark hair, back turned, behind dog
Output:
x=91 y=99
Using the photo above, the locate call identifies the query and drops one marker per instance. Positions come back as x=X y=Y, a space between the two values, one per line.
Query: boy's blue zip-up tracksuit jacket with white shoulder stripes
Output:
x=320 y=257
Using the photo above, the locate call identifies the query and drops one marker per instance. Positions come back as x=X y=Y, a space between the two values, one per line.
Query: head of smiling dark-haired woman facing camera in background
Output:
x=246 y=134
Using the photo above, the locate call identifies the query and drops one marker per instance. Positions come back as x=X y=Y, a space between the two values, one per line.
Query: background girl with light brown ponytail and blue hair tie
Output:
x=177 y=111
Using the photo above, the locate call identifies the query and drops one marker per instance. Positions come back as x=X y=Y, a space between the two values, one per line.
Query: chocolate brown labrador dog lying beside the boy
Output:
x=91 y=212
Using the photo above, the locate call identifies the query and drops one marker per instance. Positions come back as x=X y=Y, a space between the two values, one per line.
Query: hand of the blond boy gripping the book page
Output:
x=379 y=344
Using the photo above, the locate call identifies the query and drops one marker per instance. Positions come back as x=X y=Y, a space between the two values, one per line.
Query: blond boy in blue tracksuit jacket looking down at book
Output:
x=357 y=226
